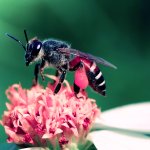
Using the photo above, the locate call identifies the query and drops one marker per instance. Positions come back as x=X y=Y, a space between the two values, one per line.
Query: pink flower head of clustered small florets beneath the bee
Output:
x=37 y=115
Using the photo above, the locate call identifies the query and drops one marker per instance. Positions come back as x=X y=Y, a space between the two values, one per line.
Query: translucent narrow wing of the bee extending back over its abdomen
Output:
x=98 y=60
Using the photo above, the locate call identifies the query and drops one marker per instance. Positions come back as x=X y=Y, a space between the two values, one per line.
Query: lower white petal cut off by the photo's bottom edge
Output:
x=108 y=140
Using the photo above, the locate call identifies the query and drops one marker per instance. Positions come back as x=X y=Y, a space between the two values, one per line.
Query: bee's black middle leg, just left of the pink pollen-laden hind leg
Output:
x=61 y=80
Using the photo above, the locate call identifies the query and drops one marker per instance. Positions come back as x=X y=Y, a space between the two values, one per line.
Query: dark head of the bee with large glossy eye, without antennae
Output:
x=32 y=52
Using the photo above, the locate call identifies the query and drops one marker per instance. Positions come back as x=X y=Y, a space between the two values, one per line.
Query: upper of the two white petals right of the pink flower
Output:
x=134 y=117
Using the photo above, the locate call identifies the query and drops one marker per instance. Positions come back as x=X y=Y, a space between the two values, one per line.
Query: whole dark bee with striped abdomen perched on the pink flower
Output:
x=60 y=55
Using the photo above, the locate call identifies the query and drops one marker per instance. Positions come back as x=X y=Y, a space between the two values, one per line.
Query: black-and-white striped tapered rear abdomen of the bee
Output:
x=96 y=79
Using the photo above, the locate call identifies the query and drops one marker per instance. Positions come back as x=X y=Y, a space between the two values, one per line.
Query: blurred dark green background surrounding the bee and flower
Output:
x=118 y=31
